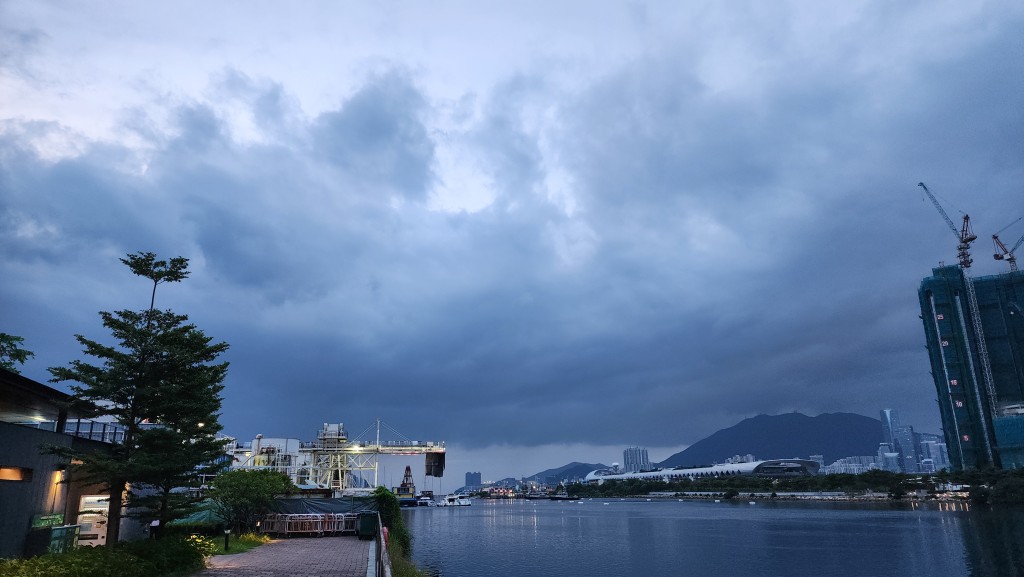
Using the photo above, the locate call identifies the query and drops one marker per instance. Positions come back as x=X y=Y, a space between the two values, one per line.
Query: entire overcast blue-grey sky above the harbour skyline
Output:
x=541 y=233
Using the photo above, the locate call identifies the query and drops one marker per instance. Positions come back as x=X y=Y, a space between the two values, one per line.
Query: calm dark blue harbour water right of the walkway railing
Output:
x=616 y=539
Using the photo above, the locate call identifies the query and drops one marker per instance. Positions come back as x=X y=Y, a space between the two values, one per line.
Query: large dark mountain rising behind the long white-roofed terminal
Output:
x=789 y=436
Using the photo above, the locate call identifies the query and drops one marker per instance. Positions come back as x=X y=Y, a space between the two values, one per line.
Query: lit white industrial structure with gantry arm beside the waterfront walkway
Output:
x=333 y=465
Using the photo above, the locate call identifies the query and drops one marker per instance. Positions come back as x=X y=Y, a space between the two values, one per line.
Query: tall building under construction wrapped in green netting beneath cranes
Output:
x=974 y=396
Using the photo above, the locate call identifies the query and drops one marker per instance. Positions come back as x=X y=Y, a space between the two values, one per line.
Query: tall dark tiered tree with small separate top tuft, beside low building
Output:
x=161 y=385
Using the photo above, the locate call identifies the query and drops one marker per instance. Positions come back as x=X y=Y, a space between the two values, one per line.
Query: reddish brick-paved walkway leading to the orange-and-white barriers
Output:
x=324 y=557
